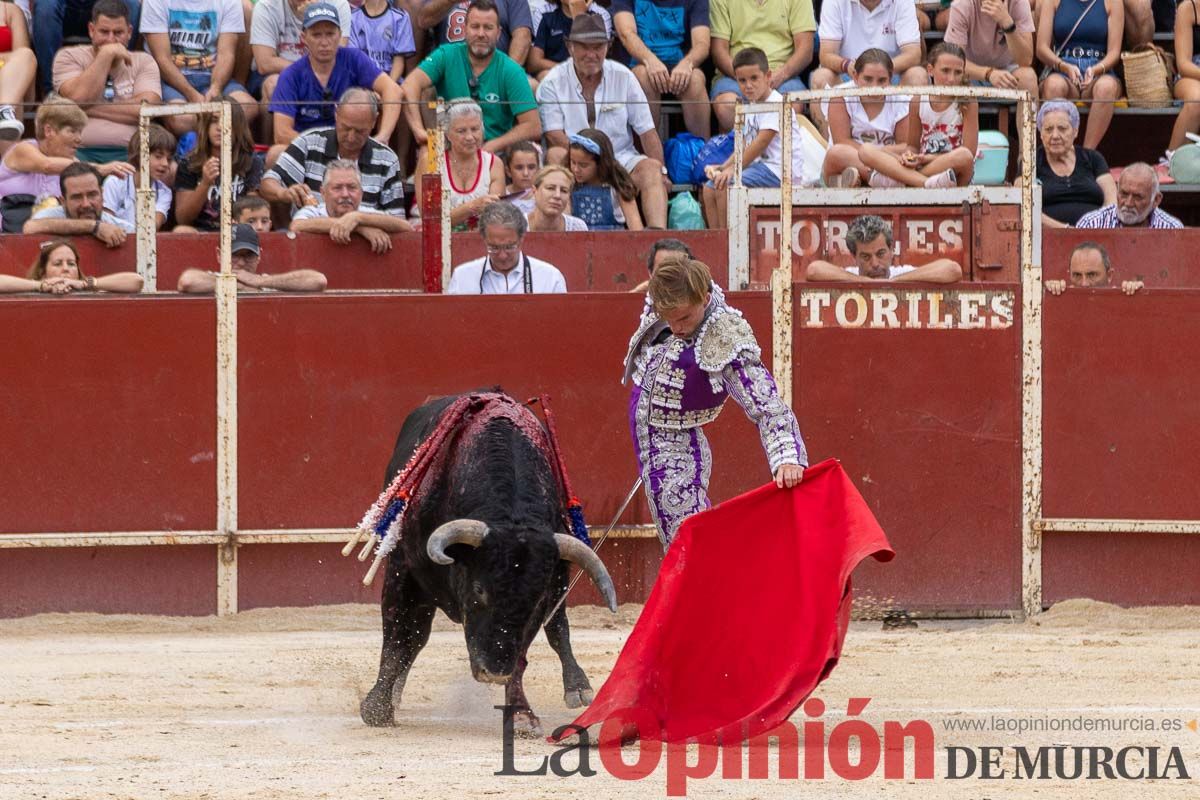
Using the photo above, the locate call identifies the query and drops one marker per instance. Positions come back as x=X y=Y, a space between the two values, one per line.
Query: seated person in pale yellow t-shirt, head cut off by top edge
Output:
x=783 y=29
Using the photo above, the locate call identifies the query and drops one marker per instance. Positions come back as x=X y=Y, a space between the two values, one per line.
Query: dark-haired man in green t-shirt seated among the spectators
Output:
x=477 y=70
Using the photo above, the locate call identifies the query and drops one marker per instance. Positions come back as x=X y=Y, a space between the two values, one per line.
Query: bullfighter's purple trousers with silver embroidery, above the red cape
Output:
x=676 y=467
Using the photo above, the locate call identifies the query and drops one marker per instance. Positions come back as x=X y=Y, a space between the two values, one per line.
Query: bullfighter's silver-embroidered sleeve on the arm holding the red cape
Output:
x=749 y=383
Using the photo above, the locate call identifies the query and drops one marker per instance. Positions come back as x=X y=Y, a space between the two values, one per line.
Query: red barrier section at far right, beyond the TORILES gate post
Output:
x=1123 y=441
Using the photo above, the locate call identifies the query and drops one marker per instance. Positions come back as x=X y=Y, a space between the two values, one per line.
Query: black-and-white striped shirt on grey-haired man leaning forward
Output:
x=308 y=155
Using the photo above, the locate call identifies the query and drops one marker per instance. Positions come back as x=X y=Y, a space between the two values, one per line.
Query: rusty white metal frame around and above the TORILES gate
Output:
x=743 y=201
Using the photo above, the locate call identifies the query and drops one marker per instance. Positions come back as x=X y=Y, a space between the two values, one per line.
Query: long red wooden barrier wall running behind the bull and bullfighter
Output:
x=112 y=429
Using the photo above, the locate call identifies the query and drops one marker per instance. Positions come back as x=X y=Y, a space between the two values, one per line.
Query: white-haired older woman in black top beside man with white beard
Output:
x=1075 y=181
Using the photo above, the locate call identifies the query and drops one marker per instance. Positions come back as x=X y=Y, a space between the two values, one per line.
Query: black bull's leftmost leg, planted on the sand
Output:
x=407 y=622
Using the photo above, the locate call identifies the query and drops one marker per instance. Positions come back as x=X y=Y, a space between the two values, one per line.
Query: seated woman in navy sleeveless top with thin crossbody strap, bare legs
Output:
x=1082 y=45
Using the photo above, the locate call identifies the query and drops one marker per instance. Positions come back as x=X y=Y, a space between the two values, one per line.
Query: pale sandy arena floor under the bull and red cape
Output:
x=266 y=706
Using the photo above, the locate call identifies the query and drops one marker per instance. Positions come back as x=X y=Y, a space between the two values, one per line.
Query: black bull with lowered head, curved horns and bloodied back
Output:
x=481 y=542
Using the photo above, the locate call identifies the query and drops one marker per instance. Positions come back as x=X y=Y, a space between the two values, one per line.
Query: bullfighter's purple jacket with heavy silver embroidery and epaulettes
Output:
x=682 y=384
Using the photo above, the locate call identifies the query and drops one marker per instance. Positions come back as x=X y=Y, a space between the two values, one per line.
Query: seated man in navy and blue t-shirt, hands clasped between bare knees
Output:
x=656 y=34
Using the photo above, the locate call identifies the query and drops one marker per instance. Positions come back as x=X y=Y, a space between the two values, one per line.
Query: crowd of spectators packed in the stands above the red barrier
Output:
x=551 y=106
